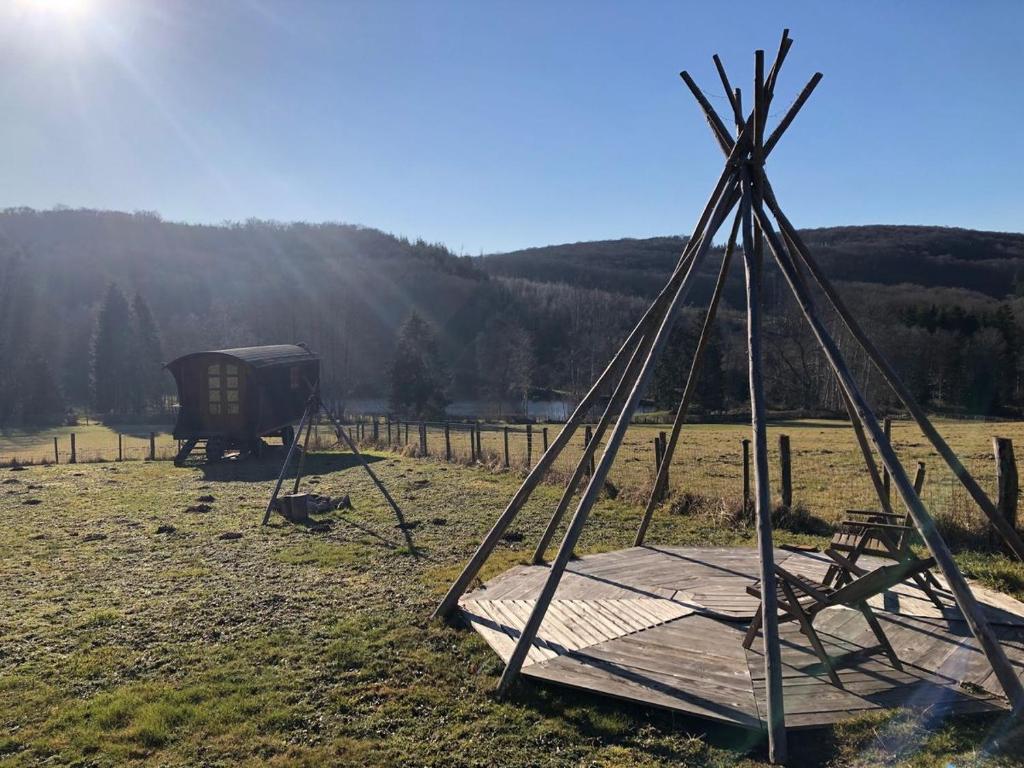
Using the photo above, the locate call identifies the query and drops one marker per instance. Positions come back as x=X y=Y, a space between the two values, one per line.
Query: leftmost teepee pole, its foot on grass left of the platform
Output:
x=724 y=190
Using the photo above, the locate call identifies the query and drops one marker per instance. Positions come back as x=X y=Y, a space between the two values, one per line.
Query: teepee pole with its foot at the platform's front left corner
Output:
x=596 y=485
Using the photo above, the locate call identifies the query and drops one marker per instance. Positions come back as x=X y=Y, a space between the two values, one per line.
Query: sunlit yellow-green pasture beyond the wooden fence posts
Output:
x=829 y=476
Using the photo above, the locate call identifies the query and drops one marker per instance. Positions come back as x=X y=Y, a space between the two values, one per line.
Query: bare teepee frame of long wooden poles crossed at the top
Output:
x=743 y=183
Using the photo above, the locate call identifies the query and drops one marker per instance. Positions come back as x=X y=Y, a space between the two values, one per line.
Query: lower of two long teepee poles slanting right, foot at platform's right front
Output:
x=926 y=526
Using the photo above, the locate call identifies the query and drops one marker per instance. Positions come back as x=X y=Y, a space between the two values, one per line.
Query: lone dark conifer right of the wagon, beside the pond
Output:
x=417 y=375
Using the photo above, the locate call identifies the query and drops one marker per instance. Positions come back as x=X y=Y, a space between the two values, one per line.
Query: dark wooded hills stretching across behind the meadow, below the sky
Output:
x=92 y=303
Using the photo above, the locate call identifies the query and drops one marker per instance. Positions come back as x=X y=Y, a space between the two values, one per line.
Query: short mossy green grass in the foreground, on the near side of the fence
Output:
x=136 y=631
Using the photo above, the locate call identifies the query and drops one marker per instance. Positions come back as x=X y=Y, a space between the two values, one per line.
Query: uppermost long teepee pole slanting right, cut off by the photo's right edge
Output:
x=889 y=374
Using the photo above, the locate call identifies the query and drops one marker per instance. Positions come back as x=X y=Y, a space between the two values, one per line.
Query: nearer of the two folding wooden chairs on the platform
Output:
x=801 y=600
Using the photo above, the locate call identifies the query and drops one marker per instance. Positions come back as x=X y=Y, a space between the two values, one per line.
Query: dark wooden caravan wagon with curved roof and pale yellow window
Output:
x=233 y=399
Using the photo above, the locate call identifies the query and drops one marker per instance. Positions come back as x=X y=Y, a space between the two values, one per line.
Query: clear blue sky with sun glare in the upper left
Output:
x=491 y=126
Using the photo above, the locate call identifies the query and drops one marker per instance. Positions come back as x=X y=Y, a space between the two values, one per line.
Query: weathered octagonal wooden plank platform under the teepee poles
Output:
x=664 y=627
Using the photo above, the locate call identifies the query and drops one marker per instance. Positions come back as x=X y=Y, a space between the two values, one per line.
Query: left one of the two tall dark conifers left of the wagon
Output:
x=112 y=355
